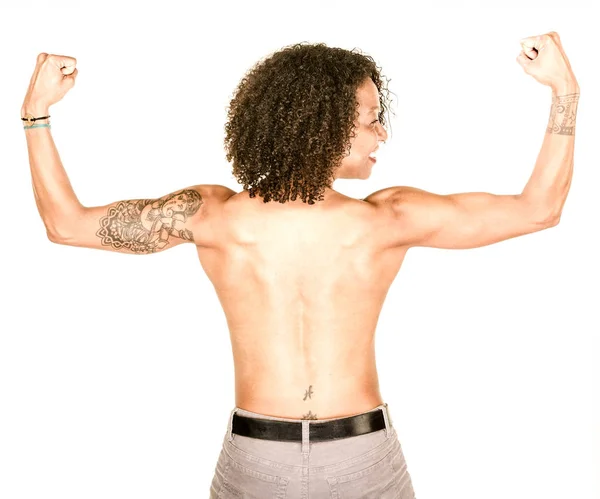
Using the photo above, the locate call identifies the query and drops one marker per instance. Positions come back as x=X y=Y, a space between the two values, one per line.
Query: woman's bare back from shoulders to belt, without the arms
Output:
x=302 y=287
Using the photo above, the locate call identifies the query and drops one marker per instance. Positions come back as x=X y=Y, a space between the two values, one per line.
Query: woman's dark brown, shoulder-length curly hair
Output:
x=292 y=116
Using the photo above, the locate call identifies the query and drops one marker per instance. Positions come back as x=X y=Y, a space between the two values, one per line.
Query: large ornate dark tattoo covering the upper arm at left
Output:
x=144 y=225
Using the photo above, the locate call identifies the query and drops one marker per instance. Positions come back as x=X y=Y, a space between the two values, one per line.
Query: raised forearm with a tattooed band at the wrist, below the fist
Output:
x=550 y=181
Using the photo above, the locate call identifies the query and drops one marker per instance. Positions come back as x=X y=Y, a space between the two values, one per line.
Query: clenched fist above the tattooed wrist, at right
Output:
x=544 y=58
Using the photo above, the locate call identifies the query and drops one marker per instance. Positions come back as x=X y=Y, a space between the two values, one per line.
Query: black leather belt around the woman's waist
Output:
x=289 y=431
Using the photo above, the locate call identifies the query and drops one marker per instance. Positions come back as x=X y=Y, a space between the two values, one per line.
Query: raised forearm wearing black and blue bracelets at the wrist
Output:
x=55 y=199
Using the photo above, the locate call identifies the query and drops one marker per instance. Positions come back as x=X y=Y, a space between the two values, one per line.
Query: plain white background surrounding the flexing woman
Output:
x=116 y=375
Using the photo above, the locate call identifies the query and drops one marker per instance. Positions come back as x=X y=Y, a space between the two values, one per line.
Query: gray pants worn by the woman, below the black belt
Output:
x=369 y=466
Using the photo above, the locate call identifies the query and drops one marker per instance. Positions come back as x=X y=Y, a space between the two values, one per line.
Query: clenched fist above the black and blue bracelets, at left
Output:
x=53 y=77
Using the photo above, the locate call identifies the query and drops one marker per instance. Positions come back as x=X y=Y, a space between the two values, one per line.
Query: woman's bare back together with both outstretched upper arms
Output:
x=302 y=285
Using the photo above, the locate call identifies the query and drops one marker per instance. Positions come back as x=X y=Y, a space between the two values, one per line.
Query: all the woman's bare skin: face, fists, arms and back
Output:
x=302 y=286
